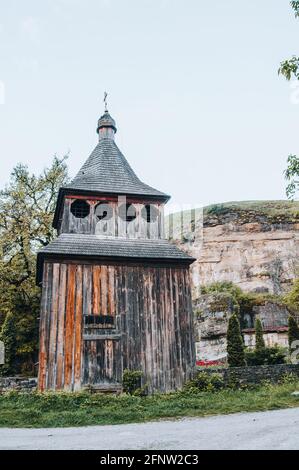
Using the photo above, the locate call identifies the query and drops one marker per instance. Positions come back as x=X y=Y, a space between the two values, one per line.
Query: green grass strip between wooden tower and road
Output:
x=82 y=409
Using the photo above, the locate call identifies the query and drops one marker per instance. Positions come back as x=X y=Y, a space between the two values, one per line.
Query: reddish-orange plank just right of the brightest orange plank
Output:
x=78 y=330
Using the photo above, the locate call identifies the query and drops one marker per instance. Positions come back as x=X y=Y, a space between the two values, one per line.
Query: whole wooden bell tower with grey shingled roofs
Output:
x=115 y=294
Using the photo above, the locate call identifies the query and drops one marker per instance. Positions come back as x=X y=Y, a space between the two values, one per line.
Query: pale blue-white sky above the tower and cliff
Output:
x=193 y=87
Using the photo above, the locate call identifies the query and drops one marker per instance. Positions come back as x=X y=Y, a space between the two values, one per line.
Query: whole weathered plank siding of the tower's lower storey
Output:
x=150 y=329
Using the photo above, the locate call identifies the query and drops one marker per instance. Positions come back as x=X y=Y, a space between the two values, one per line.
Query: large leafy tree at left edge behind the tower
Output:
x=26 y=211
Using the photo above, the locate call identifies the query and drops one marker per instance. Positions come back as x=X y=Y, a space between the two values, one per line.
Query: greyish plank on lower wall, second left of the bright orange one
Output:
x=53 y=331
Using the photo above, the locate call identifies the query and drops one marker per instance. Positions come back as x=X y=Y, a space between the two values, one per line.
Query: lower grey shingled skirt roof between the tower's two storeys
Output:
x=92 y=246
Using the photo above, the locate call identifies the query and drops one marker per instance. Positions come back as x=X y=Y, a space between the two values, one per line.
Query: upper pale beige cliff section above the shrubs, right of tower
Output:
x=252 y=244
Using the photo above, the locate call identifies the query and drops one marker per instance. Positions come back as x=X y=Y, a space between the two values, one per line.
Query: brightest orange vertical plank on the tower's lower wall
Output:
x=69 y=327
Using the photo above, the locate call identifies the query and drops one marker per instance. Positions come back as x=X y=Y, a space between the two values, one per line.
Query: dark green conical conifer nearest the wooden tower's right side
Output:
x=235 y=345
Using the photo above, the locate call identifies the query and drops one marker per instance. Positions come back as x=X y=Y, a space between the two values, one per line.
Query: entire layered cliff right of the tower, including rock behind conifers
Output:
x=255 y=245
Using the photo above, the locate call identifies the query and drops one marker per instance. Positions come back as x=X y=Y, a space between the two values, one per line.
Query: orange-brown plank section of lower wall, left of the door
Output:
x=61 y=327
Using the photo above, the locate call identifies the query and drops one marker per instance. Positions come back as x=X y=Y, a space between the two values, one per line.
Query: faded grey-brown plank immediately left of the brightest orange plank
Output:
x=60 y=328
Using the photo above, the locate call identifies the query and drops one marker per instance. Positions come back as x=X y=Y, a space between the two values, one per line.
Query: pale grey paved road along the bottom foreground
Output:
x=267 y=430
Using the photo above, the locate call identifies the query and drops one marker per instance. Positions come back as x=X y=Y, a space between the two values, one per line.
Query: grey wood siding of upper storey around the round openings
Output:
x=115 y=225
